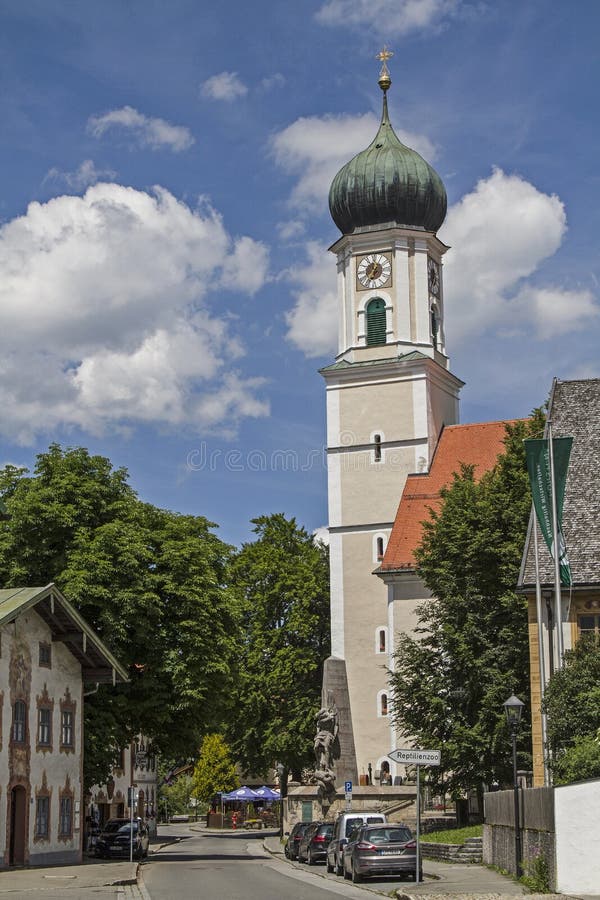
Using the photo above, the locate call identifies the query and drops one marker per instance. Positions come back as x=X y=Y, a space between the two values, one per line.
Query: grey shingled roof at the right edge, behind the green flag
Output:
x=574 y=410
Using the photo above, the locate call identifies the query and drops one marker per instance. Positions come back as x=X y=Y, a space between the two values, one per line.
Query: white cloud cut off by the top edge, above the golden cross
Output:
x=390 y=17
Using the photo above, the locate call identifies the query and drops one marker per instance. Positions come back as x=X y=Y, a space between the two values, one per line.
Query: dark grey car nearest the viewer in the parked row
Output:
x=388 y=849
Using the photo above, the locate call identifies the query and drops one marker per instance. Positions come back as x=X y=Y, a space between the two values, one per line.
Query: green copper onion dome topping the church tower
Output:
x=387 y=183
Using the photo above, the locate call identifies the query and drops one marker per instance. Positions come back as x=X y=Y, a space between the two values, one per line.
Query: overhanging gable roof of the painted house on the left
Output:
x=68 y=626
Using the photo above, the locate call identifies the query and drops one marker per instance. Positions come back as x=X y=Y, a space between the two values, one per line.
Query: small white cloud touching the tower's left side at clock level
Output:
x=312 y=323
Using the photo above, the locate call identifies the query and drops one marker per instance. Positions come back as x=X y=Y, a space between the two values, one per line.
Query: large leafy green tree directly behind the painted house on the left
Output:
x=151 y=582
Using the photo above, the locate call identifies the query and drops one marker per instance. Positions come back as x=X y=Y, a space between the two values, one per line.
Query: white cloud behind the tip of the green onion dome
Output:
x=315 y=148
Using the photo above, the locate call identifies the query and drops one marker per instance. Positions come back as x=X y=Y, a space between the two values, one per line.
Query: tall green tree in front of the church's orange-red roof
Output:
x=470 y=648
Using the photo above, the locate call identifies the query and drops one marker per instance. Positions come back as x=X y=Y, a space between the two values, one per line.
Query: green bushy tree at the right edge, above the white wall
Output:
x=572 y=705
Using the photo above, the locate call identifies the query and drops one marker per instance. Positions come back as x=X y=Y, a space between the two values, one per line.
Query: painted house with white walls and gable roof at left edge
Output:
x=47 y=654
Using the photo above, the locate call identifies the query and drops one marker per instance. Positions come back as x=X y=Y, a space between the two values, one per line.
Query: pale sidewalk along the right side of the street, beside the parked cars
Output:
x=444 y=881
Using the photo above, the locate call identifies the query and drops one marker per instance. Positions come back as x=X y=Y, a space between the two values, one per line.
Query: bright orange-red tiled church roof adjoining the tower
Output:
x=477 y=444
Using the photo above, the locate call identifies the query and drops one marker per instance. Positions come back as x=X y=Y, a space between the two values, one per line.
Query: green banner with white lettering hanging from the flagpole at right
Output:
x=538 y=466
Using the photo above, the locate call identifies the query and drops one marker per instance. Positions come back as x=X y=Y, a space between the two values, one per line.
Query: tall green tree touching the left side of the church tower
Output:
x=281 y=581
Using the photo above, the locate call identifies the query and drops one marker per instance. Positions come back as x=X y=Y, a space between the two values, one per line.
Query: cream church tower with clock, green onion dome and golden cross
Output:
x=389 y=394
